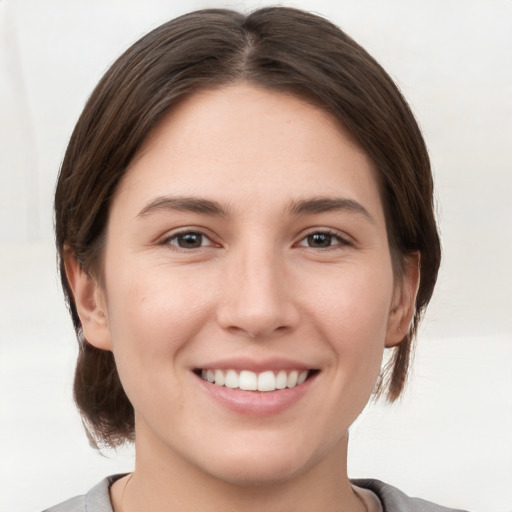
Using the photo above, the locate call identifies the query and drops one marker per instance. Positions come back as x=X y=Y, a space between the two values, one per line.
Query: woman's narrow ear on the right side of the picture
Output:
x=404 y=301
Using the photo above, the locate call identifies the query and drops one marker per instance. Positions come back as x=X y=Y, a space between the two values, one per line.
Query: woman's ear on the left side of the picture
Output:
x=90 y=302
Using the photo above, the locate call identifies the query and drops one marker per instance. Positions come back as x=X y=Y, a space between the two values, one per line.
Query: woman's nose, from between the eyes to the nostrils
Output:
x=257 y=296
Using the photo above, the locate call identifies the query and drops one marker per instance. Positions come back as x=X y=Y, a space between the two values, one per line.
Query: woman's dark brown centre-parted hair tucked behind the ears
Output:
x=278 y=48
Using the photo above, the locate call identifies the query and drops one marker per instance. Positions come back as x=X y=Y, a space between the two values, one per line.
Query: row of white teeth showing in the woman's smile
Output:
x=251 y=381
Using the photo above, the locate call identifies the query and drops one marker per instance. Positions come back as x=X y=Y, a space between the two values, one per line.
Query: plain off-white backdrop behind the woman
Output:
x=450 y=439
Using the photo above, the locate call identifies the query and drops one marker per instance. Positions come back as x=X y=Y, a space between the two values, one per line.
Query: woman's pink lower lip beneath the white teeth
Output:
x=257 y=403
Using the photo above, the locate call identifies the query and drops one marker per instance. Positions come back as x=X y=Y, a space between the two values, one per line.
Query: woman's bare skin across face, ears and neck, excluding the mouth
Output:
x=256 y=287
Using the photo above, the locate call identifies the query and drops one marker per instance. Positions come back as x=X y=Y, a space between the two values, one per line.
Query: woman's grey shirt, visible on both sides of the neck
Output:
x=392 y=499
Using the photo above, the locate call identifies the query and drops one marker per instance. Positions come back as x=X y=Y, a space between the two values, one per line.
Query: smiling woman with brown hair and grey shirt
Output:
x=244 y=223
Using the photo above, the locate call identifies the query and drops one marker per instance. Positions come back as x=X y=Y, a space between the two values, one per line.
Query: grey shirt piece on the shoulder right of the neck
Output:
x=394 y=500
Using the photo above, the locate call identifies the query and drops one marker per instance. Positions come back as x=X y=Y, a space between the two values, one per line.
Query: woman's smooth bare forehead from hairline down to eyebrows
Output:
x=245 y=143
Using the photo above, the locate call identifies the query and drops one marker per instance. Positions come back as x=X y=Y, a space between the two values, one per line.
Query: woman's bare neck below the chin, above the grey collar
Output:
x=172 y=483
